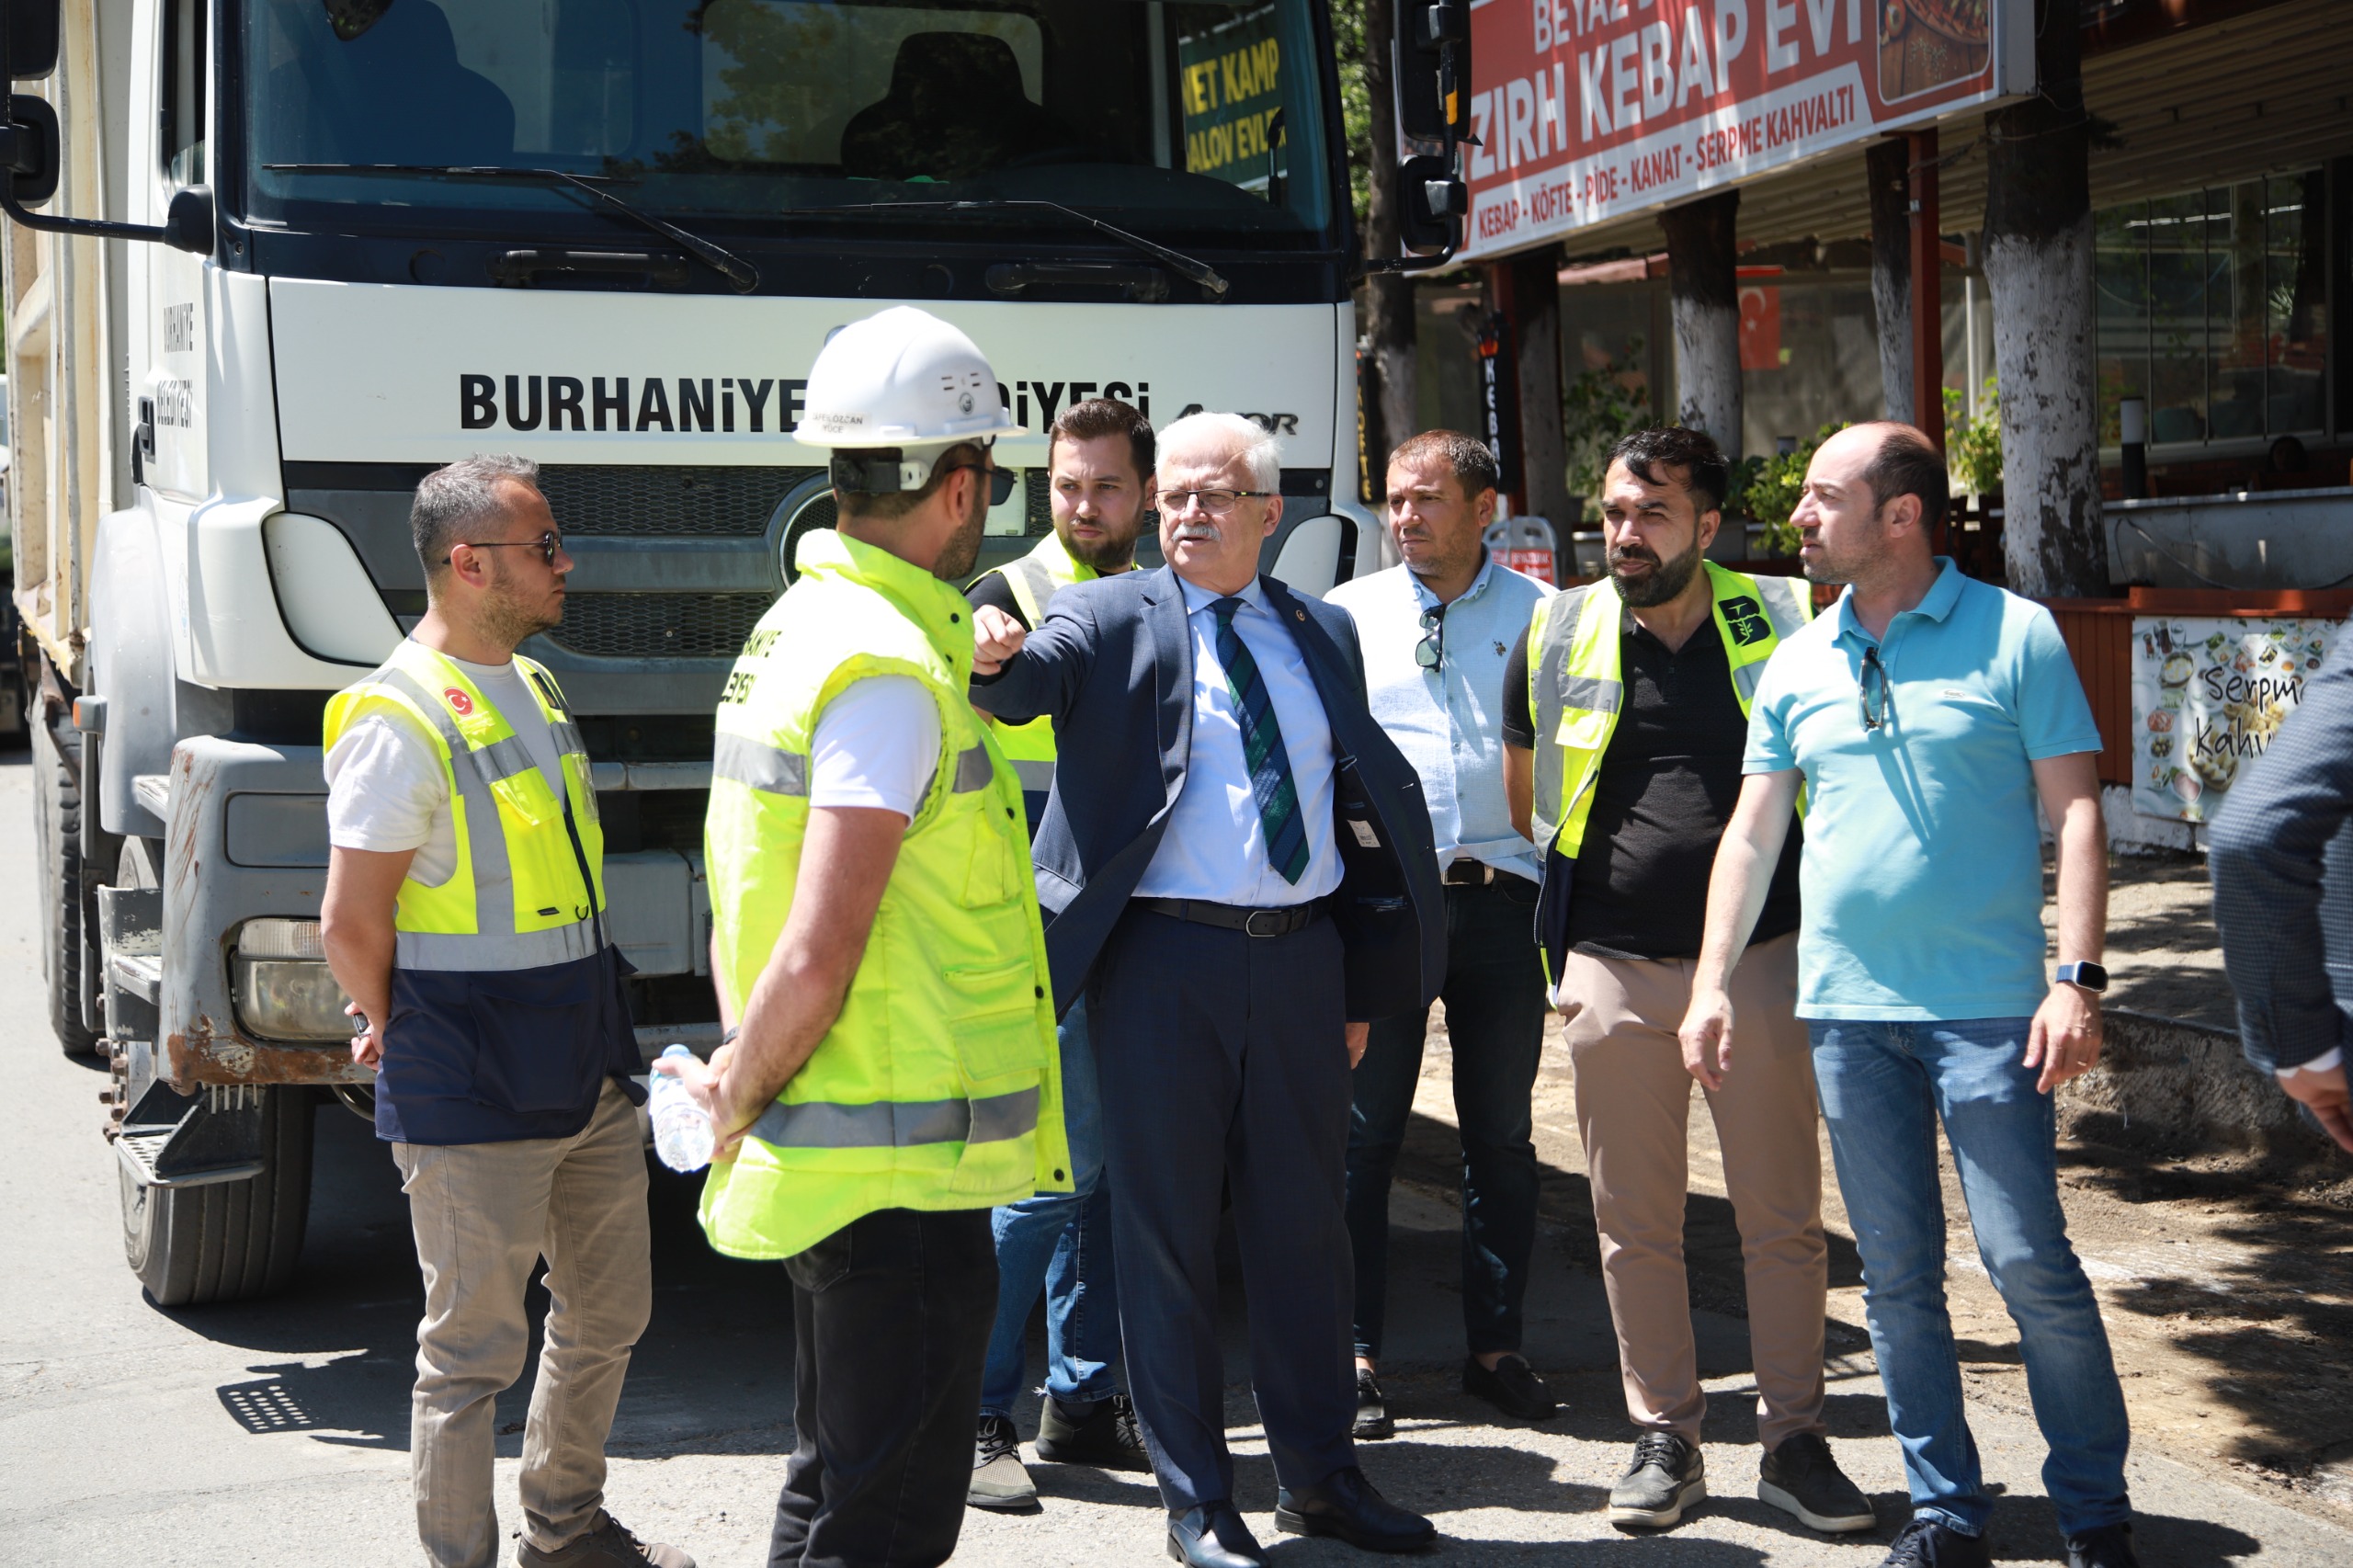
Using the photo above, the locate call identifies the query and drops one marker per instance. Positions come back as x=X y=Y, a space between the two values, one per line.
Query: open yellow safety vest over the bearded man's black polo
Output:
x=1578 y=689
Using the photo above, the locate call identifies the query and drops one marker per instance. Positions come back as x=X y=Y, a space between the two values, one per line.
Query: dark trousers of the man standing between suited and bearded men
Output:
x=1495 y=1021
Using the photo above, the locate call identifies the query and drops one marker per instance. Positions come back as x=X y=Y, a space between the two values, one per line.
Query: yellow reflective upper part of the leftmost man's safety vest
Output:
x=519 y=898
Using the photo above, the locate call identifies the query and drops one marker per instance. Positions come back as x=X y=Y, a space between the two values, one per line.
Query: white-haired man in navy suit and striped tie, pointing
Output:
x=1237 y=872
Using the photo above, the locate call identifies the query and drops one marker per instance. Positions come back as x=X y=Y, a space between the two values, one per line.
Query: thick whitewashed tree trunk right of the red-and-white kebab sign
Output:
x=2039 y=265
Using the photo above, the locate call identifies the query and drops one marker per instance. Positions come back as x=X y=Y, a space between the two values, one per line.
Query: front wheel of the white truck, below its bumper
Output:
x=227 y=1242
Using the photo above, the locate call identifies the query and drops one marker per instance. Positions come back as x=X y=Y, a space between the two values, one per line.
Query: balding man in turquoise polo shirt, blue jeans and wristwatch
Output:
x=1926 y=717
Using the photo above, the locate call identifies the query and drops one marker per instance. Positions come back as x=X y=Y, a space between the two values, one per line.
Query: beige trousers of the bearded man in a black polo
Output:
x=1634 y=1098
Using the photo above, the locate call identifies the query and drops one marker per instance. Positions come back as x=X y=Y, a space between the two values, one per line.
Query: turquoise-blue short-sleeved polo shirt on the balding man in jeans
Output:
x=1924 y=863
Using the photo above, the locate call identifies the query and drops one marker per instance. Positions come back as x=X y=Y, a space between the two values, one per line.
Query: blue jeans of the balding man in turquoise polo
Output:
x=1884 y=1089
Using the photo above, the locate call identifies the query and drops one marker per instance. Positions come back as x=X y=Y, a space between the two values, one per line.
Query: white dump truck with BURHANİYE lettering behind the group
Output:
x=274 y=260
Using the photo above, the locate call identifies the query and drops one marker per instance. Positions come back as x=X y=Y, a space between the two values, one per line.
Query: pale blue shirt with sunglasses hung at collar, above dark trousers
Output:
x=1448 y=722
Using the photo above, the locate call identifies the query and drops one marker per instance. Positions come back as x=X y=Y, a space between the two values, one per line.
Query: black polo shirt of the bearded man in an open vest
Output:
x=1660 y=804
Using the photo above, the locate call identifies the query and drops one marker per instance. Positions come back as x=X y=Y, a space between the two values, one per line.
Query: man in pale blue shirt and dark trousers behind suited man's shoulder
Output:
x=1437 y=637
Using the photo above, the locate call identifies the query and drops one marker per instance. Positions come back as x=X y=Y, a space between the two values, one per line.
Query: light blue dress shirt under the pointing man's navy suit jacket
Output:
x=1215 y=846
